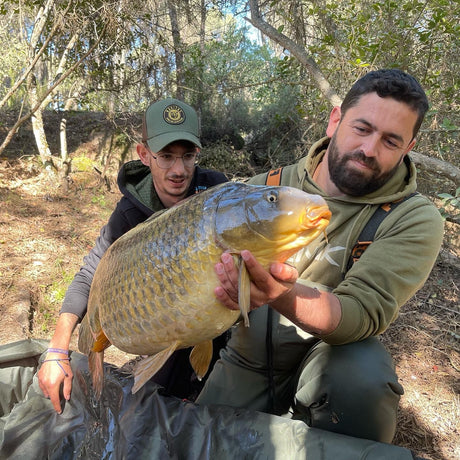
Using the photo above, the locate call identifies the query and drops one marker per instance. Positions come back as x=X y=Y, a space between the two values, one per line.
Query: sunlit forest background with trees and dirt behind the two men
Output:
x=76 y=75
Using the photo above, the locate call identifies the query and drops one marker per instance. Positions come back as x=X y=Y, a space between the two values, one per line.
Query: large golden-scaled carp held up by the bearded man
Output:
x=153 y=290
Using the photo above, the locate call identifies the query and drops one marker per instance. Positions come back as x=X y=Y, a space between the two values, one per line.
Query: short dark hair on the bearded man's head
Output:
x=392 y=83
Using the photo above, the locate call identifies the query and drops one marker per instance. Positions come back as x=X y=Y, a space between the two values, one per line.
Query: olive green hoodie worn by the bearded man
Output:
x=392 y=268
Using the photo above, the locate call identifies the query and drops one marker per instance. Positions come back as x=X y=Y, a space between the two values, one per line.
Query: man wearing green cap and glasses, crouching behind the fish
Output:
x=164 y=175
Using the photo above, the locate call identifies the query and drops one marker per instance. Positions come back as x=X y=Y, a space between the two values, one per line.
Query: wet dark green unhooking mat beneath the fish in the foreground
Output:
x=148 y=424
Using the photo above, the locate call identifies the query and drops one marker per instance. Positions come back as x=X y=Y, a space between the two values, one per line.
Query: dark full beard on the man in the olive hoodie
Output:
x=353 y=182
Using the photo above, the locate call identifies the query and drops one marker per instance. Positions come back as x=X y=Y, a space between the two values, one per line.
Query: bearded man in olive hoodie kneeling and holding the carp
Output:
x=312 y=350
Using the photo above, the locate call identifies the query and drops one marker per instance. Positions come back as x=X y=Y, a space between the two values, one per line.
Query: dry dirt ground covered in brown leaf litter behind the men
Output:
x=45 y=234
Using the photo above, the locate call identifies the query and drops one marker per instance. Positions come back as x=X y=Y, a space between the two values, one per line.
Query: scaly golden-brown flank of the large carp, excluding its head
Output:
x=153 y=283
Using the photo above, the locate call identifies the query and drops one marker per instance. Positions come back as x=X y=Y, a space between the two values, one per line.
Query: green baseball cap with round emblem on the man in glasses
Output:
x=167 y=121
